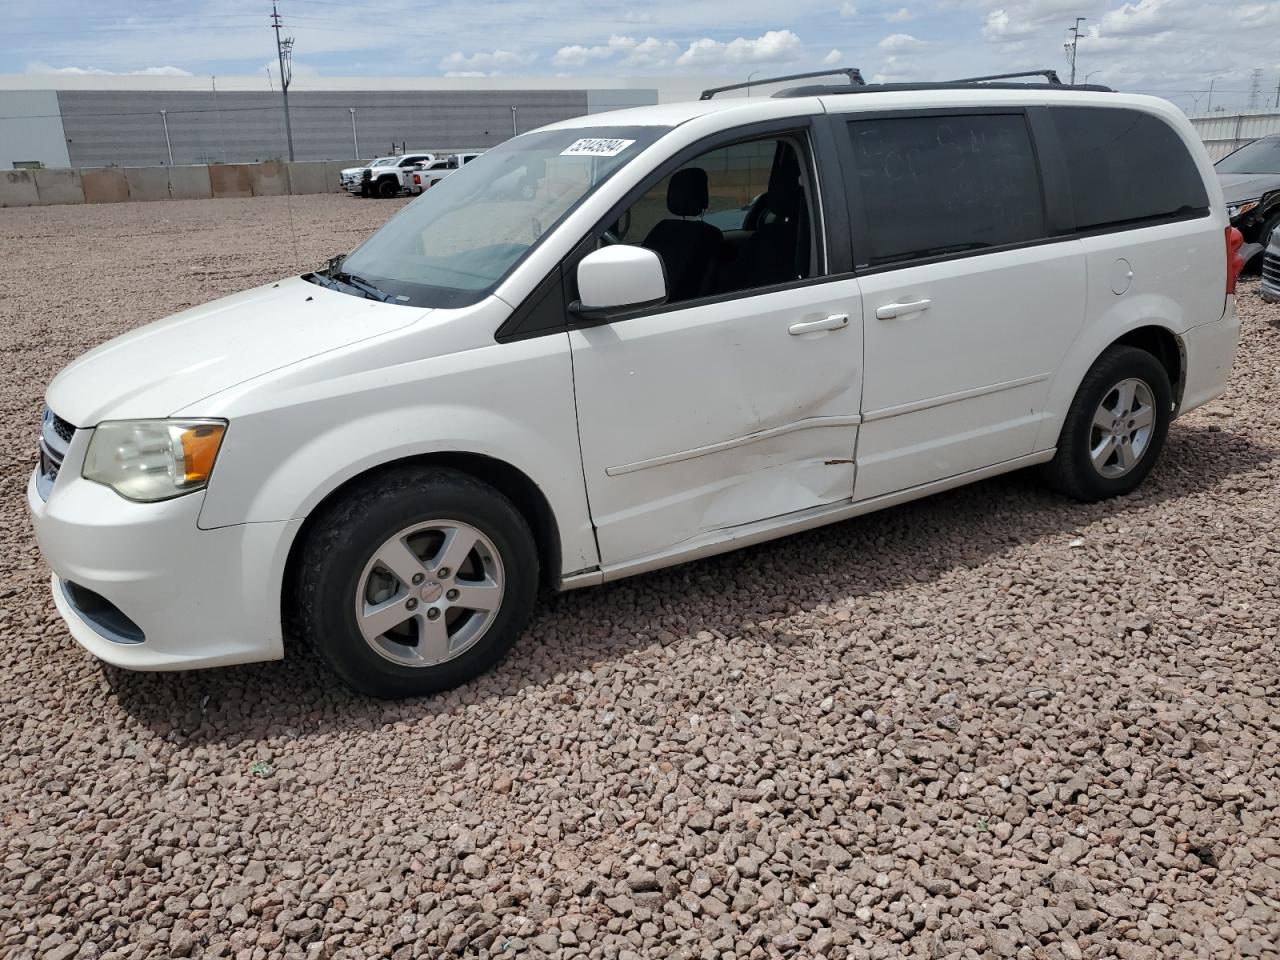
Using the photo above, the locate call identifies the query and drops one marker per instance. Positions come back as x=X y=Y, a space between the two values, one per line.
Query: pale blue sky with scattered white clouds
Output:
x=1176 y=49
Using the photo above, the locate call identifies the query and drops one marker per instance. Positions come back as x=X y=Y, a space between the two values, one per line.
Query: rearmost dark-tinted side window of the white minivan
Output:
x=1127 y=167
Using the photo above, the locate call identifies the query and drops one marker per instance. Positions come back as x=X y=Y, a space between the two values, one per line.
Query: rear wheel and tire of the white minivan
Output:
x=1089 y=467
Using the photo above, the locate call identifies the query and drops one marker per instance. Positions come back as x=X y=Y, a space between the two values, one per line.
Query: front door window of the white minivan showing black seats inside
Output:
x=733 y=220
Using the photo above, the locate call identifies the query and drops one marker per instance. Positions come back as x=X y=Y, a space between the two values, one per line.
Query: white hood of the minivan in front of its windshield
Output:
x=175 y=363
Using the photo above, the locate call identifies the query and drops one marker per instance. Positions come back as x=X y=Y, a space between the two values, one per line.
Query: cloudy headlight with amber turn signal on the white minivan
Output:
x=154 y=460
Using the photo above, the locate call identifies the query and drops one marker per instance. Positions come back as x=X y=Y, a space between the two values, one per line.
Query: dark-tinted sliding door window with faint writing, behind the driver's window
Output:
x=941 y=185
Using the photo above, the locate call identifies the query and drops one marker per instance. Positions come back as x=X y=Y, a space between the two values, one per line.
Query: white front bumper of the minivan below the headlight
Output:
x=200 y=598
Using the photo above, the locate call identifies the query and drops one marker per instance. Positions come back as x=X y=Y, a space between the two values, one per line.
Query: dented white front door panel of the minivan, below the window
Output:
x=715 y=415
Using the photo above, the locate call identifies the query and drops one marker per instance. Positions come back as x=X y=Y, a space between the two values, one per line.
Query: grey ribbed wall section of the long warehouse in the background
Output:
x=125 y=127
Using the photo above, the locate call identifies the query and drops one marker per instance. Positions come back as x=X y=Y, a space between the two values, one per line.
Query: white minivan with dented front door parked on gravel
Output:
x=629 y=341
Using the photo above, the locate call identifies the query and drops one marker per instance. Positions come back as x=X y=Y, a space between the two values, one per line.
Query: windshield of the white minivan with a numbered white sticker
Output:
x=451 y=246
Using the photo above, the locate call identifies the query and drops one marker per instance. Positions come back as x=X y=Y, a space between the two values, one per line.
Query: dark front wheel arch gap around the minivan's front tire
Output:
x=505 y=478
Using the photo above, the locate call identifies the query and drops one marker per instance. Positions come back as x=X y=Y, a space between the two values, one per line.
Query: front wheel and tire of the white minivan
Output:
x=341 y=579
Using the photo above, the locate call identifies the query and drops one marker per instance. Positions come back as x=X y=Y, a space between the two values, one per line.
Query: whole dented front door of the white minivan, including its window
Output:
x=738 y=400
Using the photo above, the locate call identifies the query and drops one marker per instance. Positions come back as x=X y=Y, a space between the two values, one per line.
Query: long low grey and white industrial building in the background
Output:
x=92 y=121
